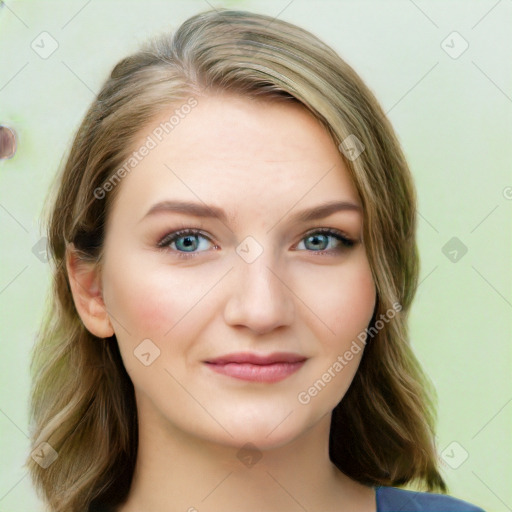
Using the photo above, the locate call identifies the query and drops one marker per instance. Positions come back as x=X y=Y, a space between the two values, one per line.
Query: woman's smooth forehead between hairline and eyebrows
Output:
x=231 y=149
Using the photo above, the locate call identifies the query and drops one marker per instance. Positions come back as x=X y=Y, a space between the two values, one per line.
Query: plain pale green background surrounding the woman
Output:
x=453 y=117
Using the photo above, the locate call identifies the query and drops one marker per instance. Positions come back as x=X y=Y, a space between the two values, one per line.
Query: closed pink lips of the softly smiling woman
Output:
x=257 y=368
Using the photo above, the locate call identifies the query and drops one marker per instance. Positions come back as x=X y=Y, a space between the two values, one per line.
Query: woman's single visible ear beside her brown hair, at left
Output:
x=85 y=283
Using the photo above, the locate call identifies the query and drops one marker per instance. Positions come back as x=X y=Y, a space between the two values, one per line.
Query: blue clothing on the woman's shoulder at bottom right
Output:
x=392 y=499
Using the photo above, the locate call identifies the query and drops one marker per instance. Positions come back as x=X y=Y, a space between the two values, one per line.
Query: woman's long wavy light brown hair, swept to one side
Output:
x=83 y=410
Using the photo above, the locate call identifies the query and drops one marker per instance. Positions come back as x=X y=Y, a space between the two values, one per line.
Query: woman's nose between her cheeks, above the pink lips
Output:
x=259 y=296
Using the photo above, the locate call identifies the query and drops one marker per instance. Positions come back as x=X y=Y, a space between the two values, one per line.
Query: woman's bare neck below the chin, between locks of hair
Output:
x=178 y=472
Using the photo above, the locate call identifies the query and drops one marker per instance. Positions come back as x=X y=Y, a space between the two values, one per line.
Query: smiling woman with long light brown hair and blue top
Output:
x=235 y=259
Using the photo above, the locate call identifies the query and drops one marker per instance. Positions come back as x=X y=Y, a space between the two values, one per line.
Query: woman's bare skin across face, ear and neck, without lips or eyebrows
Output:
x=261 y=162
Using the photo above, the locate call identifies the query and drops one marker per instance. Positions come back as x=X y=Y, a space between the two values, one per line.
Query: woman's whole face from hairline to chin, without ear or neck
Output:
x=249 y=276
